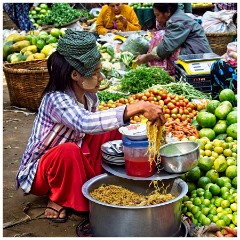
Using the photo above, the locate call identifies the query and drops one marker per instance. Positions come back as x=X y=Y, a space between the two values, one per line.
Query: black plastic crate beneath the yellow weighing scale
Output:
x=201 y=82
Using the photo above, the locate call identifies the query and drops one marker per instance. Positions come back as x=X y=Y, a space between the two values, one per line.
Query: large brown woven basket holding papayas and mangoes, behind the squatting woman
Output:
x=26 y=82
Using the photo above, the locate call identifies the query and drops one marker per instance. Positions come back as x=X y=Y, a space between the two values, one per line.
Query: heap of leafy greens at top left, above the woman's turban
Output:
x=63 y=13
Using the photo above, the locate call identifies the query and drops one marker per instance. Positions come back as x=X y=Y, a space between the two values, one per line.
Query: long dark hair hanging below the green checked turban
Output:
x=59 y=73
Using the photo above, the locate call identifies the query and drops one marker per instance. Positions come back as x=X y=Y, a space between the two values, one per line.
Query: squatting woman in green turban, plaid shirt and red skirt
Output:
x=64 y=149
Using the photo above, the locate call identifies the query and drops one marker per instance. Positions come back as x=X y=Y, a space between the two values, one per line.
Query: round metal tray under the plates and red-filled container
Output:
x=121 y=172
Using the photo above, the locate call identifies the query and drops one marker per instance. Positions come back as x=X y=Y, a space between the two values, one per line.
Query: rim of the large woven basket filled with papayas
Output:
x=24 y=70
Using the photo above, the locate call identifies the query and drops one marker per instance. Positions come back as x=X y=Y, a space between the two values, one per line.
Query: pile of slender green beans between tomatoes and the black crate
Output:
x=184 y=89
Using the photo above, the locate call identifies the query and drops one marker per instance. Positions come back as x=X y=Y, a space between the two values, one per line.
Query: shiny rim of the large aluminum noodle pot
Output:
x=85 y=186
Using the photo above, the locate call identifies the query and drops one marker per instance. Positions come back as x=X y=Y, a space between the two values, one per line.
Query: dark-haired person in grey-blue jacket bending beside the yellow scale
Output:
x=179 y=35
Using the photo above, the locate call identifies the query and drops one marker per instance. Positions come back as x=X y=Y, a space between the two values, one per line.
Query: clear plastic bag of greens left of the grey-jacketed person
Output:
x=136 y=44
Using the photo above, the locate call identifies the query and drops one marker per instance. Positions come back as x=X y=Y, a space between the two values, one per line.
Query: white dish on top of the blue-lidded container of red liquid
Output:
x=136 y=131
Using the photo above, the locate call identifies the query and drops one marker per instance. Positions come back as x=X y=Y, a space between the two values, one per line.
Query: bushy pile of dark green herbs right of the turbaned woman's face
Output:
x=142 y=78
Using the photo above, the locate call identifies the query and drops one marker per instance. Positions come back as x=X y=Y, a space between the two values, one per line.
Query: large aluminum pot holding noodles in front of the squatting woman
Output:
x=160 y=220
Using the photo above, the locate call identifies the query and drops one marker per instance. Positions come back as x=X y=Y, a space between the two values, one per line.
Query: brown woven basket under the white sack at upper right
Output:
x=219 y=41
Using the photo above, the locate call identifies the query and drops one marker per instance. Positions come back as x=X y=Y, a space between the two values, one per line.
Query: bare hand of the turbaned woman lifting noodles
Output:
x=154 y=113
